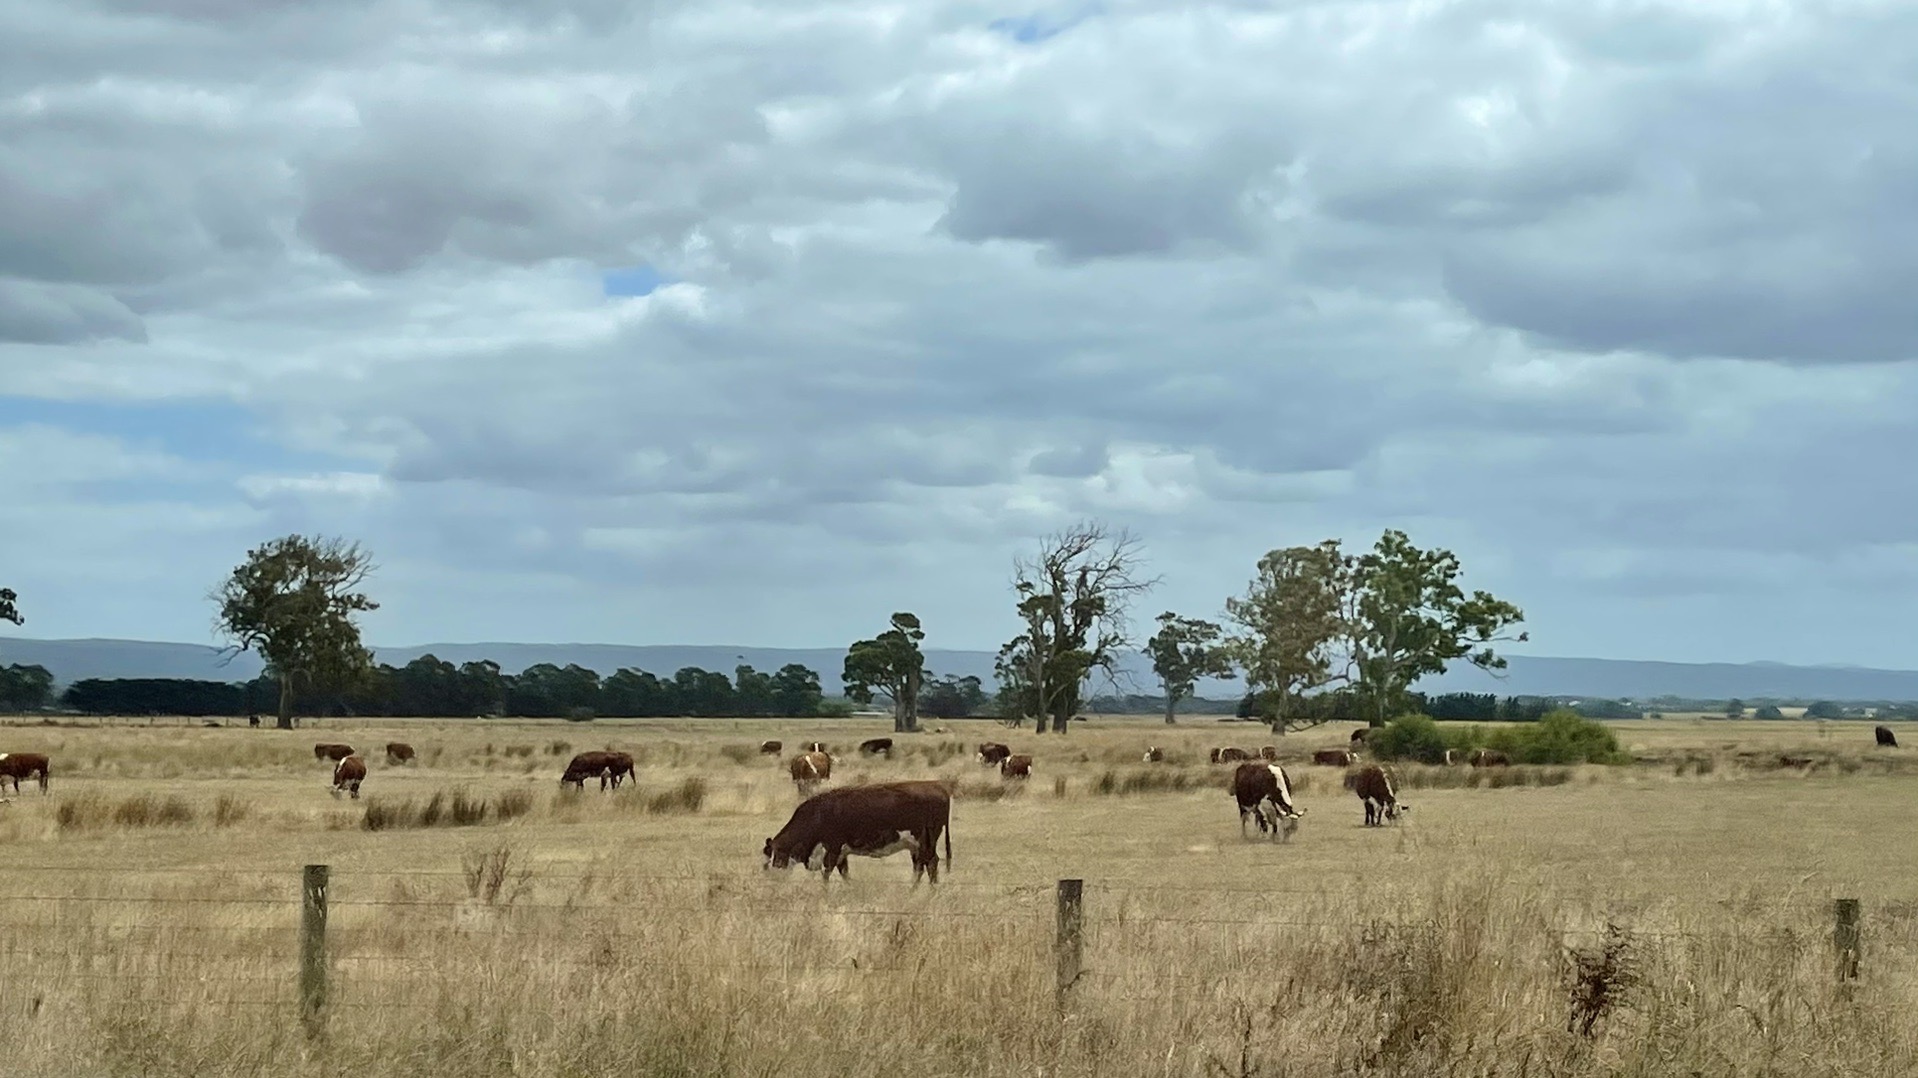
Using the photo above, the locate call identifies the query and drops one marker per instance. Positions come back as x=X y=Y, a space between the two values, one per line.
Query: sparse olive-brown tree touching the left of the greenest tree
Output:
x=1292 y=621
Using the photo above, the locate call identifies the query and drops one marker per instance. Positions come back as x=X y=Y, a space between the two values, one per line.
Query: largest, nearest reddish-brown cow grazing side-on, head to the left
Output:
x=872 y=822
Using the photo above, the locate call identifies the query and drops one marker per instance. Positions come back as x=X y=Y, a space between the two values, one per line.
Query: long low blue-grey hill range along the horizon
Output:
x=1530 y=676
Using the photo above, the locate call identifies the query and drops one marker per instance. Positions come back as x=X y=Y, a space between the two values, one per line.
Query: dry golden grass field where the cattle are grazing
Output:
x=496 y=926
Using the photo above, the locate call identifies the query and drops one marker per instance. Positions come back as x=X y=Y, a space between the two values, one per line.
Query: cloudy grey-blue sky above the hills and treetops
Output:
x=751 y=323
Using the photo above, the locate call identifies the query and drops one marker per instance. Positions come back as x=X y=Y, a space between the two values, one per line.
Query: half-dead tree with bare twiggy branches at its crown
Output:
x=1073 y=598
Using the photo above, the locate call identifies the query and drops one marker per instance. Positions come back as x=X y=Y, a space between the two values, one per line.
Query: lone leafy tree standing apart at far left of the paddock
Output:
x=294 y=601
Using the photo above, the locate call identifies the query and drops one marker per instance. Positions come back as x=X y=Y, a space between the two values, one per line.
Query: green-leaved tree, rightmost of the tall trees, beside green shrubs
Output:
x=1409 y=619
